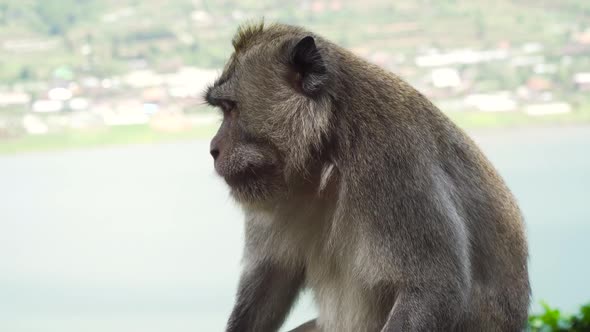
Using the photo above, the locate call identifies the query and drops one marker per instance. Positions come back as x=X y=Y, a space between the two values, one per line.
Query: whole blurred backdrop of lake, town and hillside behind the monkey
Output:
x=111 y=217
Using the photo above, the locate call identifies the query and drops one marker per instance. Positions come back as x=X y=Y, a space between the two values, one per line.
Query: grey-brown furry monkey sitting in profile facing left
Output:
x=356 y=187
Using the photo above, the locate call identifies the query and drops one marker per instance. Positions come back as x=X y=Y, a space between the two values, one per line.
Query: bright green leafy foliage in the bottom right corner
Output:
x=552 y=320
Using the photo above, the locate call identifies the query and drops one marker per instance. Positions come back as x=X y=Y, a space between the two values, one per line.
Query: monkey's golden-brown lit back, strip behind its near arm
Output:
x=497 y=243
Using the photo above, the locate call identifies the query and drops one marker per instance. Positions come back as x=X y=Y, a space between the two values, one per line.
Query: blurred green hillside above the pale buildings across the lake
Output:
x=197 y=32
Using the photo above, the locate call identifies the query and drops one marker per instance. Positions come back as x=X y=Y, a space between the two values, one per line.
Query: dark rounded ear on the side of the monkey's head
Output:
x=309 y=69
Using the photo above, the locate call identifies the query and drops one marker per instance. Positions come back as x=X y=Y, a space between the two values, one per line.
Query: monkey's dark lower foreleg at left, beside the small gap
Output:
x=265 y=295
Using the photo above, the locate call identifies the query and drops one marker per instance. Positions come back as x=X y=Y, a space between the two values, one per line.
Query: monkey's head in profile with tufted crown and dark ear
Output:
x=276 y=109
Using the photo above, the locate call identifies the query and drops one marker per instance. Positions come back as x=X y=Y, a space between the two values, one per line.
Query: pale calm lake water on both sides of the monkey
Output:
x=145 y=238
